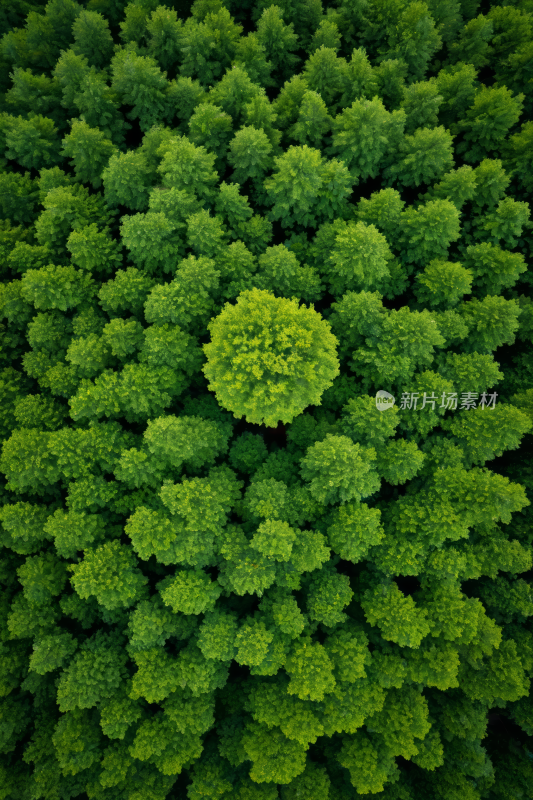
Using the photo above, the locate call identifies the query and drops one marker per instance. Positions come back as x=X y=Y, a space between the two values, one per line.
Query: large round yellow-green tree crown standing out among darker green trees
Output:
x=308 y=367
